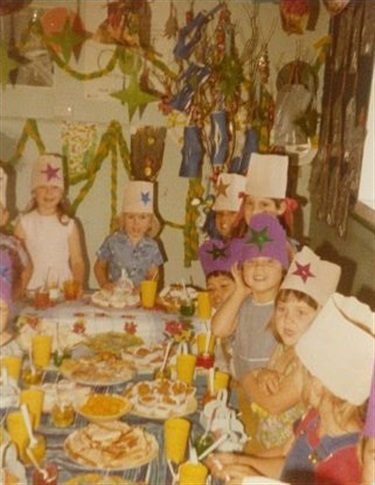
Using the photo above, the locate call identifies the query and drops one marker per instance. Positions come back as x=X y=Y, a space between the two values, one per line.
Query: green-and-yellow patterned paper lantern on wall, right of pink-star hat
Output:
x=78 y=146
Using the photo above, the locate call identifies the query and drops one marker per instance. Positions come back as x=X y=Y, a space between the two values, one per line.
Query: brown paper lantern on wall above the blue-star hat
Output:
x=146 y=152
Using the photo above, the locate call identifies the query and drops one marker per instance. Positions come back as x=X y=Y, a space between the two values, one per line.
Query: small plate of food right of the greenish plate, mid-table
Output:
x=146 y=358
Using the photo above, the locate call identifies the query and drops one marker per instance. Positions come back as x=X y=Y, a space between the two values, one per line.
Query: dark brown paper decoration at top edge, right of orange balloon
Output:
x=128 y=23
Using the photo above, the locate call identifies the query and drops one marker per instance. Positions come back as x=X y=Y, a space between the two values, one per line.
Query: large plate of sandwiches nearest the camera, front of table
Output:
x=113 y=445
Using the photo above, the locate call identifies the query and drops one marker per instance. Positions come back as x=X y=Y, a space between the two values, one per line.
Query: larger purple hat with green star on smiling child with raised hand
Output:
x=265 y=238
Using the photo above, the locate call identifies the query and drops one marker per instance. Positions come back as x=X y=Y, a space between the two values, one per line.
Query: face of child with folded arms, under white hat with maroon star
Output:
x=293 y=317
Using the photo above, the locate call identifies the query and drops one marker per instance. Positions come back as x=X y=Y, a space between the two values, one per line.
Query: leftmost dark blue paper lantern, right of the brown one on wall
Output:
x=192 y=153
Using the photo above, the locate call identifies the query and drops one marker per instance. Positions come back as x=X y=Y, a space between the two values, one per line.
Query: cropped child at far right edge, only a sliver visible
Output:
x=368 y=458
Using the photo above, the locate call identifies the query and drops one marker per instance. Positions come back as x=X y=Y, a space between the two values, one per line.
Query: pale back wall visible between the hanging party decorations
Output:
x=69 y=99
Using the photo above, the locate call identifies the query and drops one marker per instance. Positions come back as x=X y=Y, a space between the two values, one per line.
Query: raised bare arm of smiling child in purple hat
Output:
x=224 y=322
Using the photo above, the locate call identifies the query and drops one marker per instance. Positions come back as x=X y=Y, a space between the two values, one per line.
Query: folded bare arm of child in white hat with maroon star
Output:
x=288 y=395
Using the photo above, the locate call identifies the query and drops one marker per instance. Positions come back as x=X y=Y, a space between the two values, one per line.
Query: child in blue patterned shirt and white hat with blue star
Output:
x=131 y=249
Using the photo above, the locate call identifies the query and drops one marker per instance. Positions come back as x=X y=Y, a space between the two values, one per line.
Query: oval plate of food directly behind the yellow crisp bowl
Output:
x=98 y=370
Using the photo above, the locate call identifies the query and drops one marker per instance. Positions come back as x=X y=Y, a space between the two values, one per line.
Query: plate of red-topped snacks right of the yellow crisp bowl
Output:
x=161 y=399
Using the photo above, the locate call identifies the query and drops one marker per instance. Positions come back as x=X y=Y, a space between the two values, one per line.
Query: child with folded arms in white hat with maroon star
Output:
x=275 y=392
